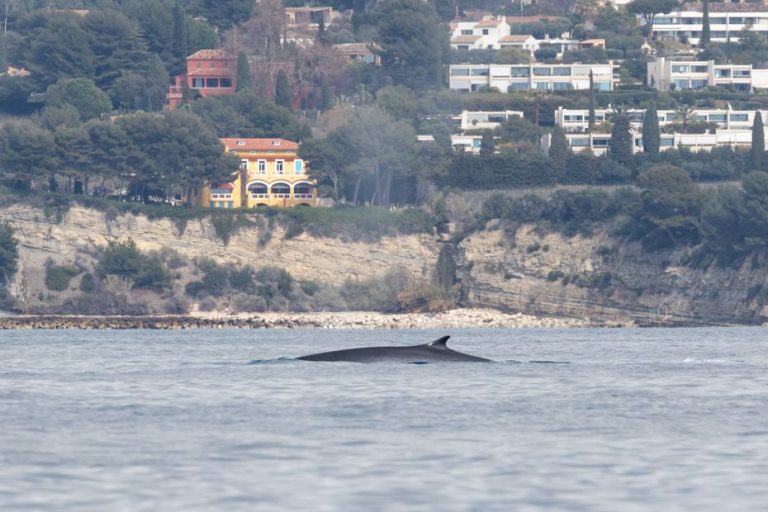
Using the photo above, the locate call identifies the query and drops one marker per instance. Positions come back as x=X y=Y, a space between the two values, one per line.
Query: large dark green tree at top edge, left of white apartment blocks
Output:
x=413 y=43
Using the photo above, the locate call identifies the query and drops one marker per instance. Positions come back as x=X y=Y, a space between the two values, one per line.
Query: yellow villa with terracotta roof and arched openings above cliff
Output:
x=271 y=174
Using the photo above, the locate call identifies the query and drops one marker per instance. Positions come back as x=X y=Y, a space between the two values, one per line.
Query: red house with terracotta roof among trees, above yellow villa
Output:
x=209 y=73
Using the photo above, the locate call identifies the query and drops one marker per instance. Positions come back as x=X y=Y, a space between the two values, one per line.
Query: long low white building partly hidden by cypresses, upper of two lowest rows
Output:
x=577 y=120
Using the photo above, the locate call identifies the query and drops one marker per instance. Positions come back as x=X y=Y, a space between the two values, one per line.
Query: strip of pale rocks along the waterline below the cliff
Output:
x=455 y=319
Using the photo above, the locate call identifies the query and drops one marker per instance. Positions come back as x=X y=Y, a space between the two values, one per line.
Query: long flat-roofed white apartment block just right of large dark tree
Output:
x=543 y=77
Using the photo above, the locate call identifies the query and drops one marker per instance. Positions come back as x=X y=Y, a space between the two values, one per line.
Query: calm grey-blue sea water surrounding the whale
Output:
x=617 y=420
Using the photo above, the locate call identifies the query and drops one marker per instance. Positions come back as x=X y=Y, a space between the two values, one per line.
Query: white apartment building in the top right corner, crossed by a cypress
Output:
x=726 y=20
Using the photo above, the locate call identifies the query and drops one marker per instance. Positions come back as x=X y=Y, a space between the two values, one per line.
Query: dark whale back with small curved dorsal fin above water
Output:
x=433 y=352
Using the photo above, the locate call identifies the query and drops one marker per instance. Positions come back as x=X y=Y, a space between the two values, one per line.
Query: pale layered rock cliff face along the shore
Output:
x=542 y=275
